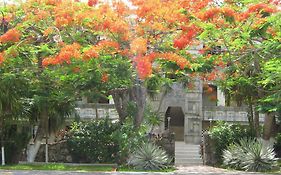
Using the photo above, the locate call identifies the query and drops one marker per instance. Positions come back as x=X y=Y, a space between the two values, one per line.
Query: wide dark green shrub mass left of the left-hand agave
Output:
x=102 y=141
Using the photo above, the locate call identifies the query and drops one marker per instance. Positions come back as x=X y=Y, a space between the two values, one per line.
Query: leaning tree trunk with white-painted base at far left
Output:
x=32 y=150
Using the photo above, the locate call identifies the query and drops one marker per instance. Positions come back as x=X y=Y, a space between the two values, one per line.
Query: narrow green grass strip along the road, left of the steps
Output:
x=65 y=167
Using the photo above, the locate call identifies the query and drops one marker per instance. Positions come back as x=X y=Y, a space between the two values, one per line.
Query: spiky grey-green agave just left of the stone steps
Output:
x=149 y=157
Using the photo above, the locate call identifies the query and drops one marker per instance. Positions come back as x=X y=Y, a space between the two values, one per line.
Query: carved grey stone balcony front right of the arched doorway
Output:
x=223 y=113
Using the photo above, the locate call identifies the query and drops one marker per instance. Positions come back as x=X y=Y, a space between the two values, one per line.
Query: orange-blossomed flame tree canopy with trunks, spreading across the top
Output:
x=70 y=48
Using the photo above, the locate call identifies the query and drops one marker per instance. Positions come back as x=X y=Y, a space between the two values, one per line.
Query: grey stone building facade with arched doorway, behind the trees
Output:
x=186 y=112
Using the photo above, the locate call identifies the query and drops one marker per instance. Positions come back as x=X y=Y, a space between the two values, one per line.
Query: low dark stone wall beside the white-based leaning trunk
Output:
x=58 y=152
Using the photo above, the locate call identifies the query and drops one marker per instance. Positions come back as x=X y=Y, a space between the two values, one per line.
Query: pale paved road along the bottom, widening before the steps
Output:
x=196 y=170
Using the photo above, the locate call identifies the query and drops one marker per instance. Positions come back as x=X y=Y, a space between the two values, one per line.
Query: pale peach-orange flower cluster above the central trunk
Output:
x=139 y=46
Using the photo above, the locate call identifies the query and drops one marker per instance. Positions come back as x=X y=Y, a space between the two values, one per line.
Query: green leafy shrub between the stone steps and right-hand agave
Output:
x=223 y=134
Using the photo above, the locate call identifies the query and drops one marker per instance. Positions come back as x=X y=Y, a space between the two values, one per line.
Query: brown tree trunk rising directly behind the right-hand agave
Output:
x=268 y=125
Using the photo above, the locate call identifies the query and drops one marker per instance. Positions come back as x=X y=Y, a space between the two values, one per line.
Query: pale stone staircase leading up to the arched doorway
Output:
x=187 y=154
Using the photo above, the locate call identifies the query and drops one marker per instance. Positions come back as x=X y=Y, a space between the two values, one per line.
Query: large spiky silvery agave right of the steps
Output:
x=249 y=155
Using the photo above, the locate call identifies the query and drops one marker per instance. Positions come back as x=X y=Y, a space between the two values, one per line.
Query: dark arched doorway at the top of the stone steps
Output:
x=174 y=120
